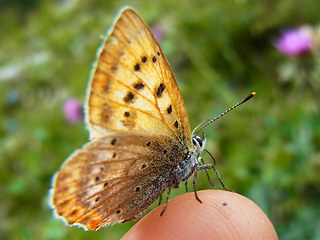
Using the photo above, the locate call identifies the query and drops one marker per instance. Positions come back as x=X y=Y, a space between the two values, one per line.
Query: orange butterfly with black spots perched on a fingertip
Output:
x=140 y=138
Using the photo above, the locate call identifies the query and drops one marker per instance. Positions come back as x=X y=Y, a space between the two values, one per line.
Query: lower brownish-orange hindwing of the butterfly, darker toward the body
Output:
x=114 y=179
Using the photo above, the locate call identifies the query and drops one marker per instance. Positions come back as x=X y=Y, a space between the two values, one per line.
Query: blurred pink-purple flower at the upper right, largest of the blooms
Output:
x=295 y=42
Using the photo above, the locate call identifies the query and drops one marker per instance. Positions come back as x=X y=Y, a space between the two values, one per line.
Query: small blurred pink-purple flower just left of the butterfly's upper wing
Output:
x=72 y=110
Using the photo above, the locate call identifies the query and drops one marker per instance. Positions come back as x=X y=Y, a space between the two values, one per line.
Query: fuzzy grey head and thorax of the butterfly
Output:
x=186 y=167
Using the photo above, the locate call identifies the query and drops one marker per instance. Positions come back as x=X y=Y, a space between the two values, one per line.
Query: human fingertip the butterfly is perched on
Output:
x=221 y=215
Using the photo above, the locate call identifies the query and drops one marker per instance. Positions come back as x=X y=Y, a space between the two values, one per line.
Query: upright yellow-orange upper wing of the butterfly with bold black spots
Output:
x=133 y=88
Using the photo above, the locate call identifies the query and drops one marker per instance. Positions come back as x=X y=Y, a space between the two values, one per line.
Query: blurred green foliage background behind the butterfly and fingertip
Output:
x=267 y=150
